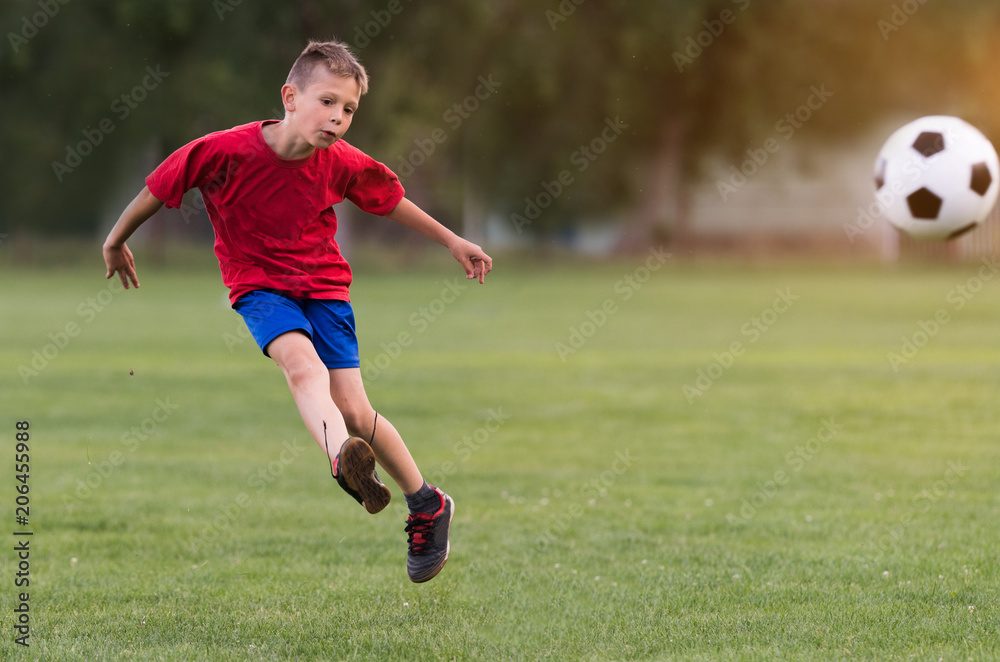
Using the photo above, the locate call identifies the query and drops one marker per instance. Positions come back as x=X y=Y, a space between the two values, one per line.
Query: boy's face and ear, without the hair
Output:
x=322 y=112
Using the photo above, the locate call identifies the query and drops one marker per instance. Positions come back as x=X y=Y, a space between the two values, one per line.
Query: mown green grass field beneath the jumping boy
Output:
x=691 y=462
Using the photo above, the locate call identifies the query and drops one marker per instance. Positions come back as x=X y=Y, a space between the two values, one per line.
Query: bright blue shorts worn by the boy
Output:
x=329 y=323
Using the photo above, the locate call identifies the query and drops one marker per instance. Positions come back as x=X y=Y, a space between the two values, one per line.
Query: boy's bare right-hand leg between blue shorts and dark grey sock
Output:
x=348 y=393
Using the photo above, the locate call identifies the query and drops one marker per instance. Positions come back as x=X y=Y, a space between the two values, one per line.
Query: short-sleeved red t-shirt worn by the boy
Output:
x=273 y=218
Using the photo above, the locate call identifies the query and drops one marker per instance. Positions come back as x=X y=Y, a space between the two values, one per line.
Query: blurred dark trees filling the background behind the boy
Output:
x=542 y=111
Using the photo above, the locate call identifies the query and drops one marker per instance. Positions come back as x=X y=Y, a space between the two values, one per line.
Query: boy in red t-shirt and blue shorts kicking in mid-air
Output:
x=269 y=188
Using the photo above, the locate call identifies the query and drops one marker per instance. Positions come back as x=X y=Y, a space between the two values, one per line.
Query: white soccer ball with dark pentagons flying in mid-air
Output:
x=937 y=178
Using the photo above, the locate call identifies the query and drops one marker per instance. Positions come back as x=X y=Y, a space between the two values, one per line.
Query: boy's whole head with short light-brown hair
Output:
x=322 y=92
